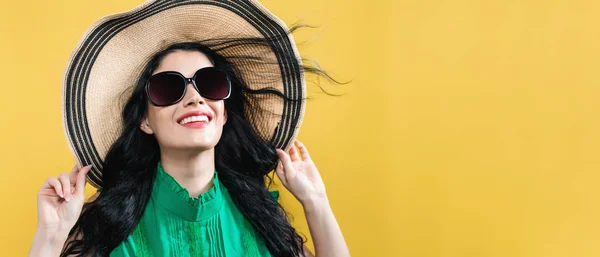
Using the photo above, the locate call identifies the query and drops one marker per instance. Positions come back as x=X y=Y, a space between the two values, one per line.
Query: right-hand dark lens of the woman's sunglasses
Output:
x=212 y=83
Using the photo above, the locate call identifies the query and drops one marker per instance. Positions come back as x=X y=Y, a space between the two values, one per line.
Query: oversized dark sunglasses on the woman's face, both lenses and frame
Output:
x=169 y=87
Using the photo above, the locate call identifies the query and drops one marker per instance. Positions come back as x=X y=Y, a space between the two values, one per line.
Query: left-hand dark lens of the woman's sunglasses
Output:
x=166 y=88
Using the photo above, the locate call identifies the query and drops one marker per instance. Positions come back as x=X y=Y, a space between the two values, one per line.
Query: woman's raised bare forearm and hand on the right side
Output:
x=302 y=179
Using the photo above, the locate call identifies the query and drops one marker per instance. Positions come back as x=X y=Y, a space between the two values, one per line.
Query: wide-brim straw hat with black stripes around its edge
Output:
x=110 y=57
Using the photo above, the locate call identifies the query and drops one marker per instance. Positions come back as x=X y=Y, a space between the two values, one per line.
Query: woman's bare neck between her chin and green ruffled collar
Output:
x=194 y=172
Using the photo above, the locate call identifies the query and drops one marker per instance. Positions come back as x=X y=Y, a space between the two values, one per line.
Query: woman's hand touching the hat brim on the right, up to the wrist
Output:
x=300 y=176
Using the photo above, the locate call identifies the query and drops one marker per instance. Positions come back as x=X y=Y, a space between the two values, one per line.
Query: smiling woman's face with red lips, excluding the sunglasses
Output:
x=166 y=122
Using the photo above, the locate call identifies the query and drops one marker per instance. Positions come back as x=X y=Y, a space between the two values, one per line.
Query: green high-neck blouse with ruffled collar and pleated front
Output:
x=174 y=224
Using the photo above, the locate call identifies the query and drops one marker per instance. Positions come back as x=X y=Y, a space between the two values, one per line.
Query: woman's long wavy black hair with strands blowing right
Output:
x=242 y=158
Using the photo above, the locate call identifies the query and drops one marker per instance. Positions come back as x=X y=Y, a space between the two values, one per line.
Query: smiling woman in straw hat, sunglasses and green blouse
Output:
x=219 y=95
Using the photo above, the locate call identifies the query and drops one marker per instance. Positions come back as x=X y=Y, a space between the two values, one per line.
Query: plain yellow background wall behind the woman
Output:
x=471 y=128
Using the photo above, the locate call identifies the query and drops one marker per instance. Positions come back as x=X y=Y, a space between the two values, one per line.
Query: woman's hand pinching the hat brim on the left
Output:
x=60 y=200
